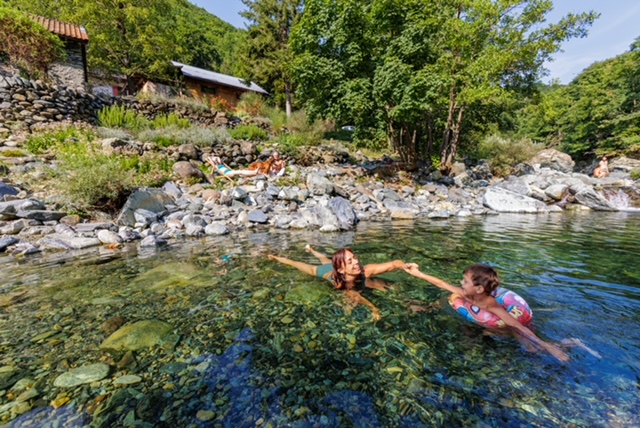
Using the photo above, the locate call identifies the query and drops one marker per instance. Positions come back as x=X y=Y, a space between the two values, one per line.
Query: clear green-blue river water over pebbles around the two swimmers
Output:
x=255 y=343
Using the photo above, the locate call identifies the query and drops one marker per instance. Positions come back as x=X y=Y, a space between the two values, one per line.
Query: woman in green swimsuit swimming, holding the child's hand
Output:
x=346 y=273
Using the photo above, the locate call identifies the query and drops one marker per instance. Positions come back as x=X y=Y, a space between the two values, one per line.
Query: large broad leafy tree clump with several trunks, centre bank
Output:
x=420 y=66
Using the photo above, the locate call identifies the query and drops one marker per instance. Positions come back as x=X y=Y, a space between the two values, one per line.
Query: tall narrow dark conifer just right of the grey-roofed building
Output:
x=268 y=54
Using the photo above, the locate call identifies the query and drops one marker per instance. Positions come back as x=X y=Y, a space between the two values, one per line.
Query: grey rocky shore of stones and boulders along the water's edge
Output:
x=330 y=195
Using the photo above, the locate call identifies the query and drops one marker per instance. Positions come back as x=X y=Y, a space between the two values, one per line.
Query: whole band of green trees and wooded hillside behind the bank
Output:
x=433 y=80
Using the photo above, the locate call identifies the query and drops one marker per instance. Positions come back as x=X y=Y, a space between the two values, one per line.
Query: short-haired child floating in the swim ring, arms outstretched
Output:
x=478 y=284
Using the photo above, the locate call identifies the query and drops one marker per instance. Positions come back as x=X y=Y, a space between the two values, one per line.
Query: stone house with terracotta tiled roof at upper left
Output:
x=72 y=71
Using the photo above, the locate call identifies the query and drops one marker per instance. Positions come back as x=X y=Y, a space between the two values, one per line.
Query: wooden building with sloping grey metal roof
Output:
x=201 y=83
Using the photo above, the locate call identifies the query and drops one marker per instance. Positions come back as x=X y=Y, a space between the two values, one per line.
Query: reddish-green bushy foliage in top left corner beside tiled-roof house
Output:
x=27 y=44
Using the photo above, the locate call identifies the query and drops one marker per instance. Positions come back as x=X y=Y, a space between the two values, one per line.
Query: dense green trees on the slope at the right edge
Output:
x=597 y=113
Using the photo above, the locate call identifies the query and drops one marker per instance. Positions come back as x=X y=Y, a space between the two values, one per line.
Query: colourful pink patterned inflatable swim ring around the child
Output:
x=510 y=301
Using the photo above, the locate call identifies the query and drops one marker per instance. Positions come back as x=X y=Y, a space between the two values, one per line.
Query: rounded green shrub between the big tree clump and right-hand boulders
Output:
x=502 y=153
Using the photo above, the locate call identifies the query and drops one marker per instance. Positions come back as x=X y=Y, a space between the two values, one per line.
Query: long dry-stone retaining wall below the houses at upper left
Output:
x=25 y=104
